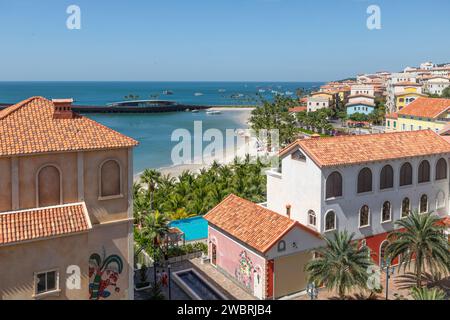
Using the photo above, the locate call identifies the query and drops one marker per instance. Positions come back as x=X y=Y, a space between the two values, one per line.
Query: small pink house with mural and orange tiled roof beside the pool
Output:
x=261 y=250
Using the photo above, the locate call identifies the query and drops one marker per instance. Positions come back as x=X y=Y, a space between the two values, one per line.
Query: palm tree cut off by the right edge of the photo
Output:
x=420 y=239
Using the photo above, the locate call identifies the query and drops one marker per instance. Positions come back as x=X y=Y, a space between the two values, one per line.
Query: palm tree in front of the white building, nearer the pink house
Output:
x=341 y=265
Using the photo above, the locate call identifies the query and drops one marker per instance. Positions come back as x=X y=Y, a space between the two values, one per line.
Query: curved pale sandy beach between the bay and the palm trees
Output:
x=245 y=145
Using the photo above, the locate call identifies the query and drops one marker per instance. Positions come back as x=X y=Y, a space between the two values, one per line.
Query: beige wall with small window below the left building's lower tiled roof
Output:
x=20 y=262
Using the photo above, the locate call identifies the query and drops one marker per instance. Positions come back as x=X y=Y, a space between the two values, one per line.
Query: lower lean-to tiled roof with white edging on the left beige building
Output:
x=41 y=223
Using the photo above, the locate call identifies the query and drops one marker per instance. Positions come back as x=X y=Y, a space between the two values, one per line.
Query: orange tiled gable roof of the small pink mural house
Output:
x=256 y=226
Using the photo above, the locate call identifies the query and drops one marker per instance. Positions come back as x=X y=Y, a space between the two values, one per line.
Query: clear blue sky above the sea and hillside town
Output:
x=214 y=40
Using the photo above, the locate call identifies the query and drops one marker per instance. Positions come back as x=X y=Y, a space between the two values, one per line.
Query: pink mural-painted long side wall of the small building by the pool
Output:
x=239 y=262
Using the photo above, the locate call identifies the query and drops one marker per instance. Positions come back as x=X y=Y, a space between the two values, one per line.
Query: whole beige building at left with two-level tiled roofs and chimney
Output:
x=66 y=218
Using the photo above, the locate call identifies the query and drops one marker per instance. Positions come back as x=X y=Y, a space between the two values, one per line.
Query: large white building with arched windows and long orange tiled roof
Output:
x=362 y=184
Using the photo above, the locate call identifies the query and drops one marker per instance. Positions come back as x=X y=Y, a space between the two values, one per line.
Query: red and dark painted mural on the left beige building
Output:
x=103 y=275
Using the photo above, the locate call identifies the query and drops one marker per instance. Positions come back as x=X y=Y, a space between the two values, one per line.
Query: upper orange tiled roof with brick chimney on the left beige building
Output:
x=29 y=127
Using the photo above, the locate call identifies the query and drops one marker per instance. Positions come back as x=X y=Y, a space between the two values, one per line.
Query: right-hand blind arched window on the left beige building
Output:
x=110 y=179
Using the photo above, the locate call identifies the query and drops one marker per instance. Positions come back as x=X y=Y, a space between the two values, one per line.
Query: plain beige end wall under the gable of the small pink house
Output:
x=290 y=275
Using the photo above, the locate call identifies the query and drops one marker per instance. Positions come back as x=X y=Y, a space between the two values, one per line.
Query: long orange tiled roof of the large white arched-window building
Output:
x=346 y=150
